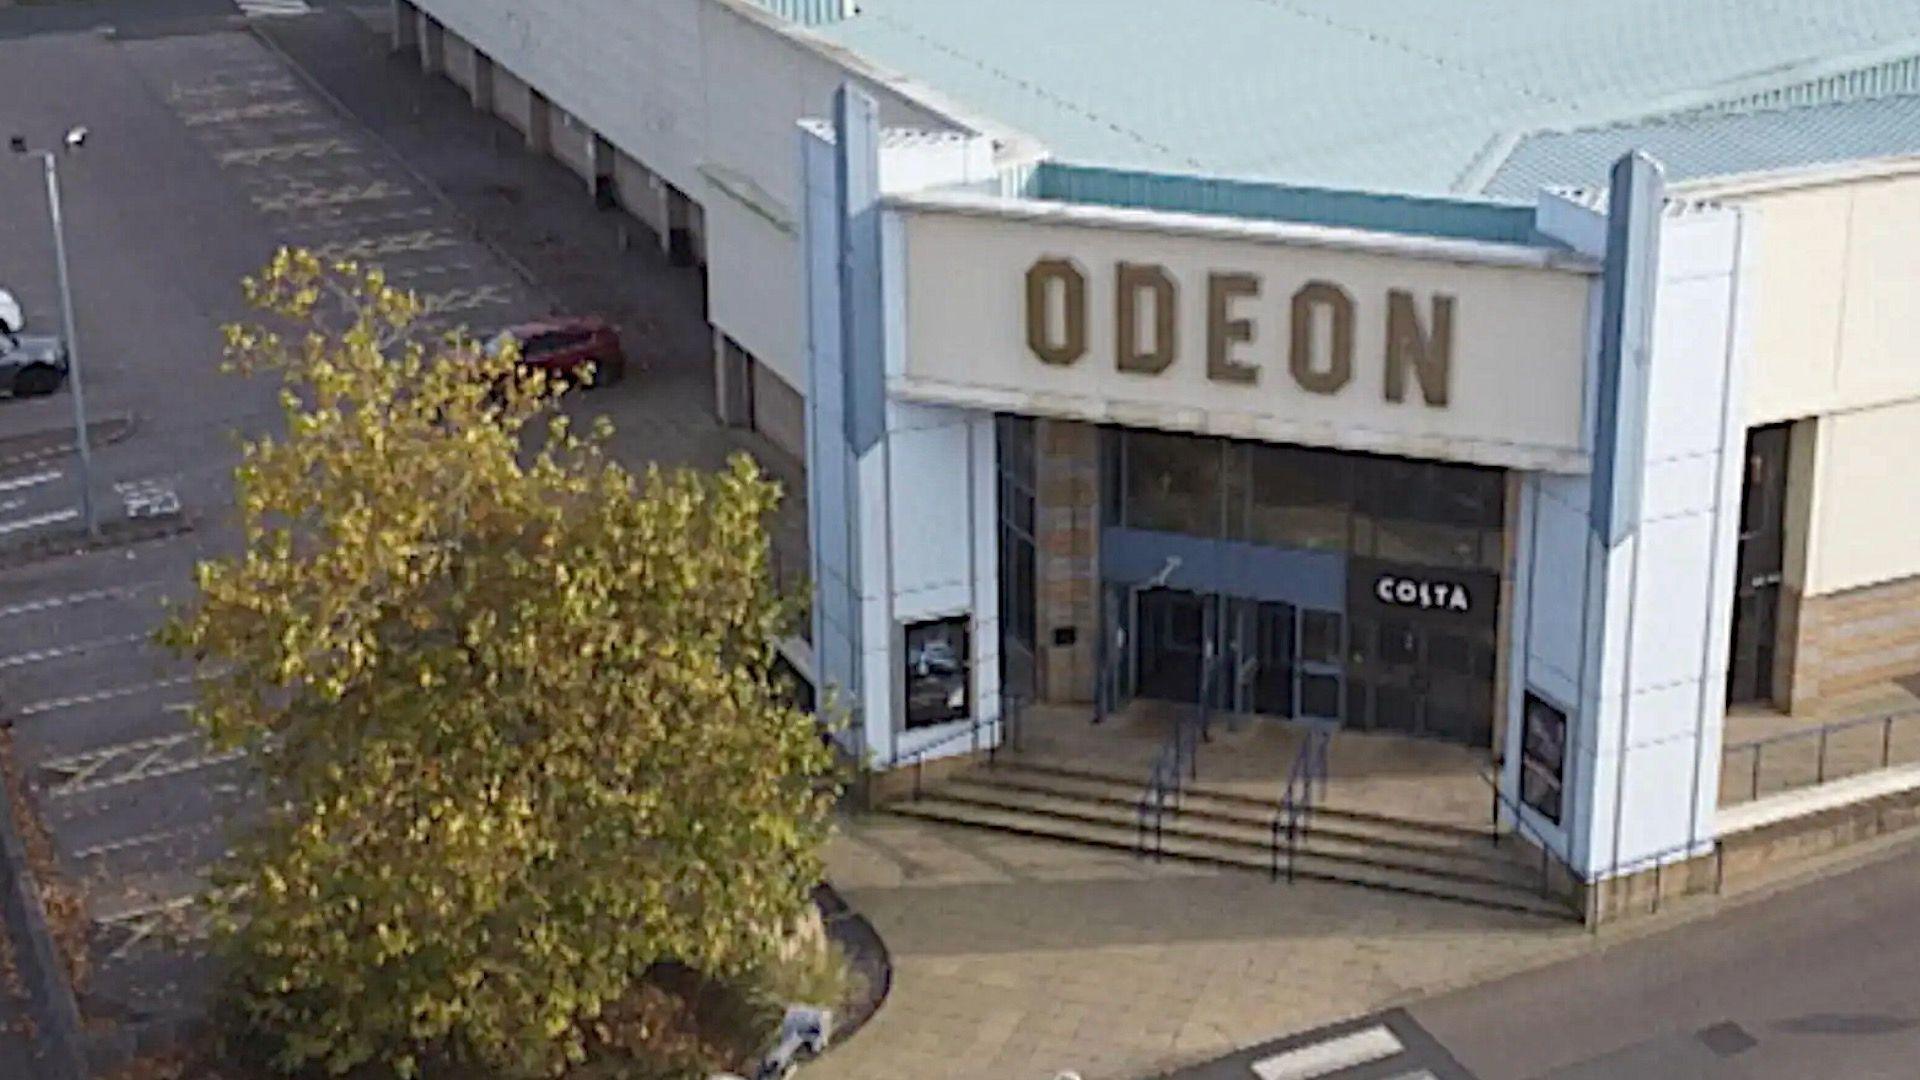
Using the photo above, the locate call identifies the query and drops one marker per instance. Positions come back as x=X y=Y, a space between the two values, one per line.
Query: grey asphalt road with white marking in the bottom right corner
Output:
x=1815 y=983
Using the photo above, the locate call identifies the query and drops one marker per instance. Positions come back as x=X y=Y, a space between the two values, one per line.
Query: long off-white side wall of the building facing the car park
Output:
x=706 y=97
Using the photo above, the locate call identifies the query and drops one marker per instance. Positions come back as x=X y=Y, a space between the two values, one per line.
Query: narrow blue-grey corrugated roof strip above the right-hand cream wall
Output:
x=1712 y=145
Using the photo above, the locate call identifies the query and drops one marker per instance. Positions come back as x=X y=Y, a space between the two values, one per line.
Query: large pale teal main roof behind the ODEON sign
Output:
x=1376 y=95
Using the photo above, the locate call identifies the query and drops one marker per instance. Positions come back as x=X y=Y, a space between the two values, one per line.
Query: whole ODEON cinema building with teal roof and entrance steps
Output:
x=1535 y=428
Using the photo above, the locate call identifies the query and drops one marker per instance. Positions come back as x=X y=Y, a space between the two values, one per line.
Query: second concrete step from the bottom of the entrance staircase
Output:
x=1474 y=864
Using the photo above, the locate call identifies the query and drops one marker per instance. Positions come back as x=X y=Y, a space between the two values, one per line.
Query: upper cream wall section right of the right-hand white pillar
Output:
x=1836 y=324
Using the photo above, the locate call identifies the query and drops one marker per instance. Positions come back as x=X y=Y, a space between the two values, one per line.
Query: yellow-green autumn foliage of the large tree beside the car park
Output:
x=512 y=704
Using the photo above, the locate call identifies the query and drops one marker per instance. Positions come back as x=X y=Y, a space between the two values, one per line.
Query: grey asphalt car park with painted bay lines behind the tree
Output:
x=208 y=151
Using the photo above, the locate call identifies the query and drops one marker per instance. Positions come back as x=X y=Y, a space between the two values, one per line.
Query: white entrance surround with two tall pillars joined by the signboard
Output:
x=1623 y=629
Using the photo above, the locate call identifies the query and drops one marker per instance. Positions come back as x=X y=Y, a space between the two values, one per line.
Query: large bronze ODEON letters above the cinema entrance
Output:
x=1318 y=337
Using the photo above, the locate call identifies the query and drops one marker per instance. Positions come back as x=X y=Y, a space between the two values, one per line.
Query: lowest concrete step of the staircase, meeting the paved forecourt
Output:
x=1228 y=856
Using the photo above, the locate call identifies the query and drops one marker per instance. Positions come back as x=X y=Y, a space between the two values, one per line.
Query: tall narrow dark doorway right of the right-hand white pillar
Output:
x=1750 y=672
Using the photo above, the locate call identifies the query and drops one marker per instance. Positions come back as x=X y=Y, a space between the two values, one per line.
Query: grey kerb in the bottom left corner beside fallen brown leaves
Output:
x=57 y=1014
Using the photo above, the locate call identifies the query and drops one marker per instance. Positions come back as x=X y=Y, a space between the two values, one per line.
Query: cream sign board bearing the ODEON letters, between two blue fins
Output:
x=1280 y=333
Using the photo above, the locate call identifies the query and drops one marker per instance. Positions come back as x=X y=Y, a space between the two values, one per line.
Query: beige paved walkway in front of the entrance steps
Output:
x=1017 y=960
